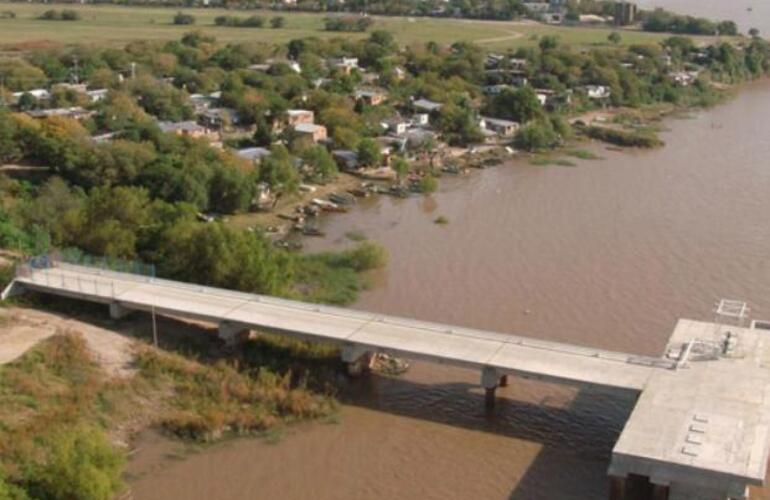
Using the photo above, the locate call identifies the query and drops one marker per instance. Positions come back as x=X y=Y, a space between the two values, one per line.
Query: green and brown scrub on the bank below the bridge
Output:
x=57 y=407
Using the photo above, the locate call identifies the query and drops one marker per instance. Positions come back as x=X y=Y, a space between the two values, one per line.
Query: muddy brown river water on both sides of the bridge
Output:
x=608 y=254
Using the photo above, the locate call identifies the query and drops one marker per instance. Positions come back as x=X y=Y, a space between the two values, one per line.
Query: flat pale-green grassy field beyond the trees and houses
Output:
x=115 y=25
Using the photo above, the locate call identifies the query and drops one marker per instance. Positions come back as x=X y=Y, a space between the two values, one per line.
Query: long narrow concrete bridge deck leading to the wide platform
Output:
x=397 y=336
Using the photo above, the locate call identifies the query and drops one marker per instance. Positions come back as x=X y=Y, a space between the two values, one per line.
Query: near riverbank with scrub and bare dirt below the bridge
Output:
x=89 y=389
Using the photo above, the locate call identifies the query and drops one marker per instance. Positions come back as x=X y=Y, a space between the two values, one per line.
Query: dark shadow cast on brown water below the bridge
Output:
x=576 y=438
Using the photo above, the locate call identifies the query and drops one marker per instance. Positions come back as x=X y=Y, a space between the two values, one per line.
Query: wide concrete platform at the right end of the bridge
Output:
x=702 y=430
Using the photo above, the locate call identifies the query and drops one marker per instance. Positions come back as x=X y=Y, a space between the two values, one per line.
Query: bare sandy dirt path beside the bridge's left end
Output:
x=21 y=329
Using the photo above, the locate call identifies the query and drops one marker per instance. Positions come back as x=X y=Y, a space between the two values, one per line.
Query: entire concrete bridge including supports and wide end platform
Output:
x=699 y=430
